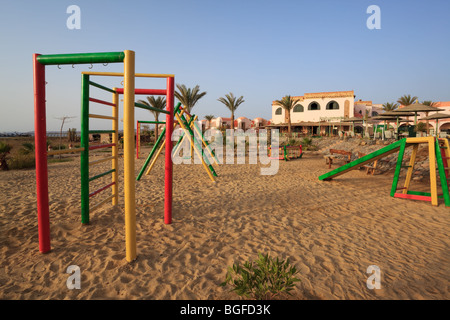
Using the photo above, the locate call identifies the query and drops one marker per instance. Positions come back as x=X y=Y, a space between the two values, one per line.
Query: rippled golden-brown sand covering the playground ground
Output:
x=331 y=231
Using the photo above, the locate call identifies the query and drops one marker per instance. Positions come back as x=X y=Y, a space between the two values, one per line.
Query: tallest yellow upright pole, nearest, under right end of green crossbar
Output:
x=128 y=155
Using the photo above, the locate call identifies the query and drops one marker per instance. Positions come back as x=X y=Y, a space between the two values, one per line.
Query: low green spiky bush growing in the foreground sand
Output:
x=266 y=278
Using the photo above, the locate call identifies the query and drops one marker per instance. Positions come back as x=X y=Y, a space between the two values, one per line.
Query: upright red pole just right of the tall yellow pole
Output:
x=169 y=165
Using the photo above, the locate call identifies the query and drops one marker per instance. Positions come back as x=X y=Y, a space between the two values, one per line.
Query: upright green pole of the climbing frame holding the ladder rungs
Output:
x=85 y=153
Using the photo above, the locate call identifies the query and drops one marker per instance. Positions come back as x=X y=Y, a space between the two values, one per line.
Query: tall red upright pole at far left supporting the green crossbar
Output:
x=40 y=141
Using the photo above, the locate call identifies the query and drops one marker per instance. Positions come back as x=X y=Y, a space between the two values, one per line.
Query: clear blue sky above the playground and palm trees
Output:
x=259 y=49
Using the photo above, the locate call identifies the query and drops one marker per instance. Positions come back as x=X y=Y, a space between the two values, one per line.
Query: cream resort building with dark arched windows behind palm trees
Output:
x=319 y=113
